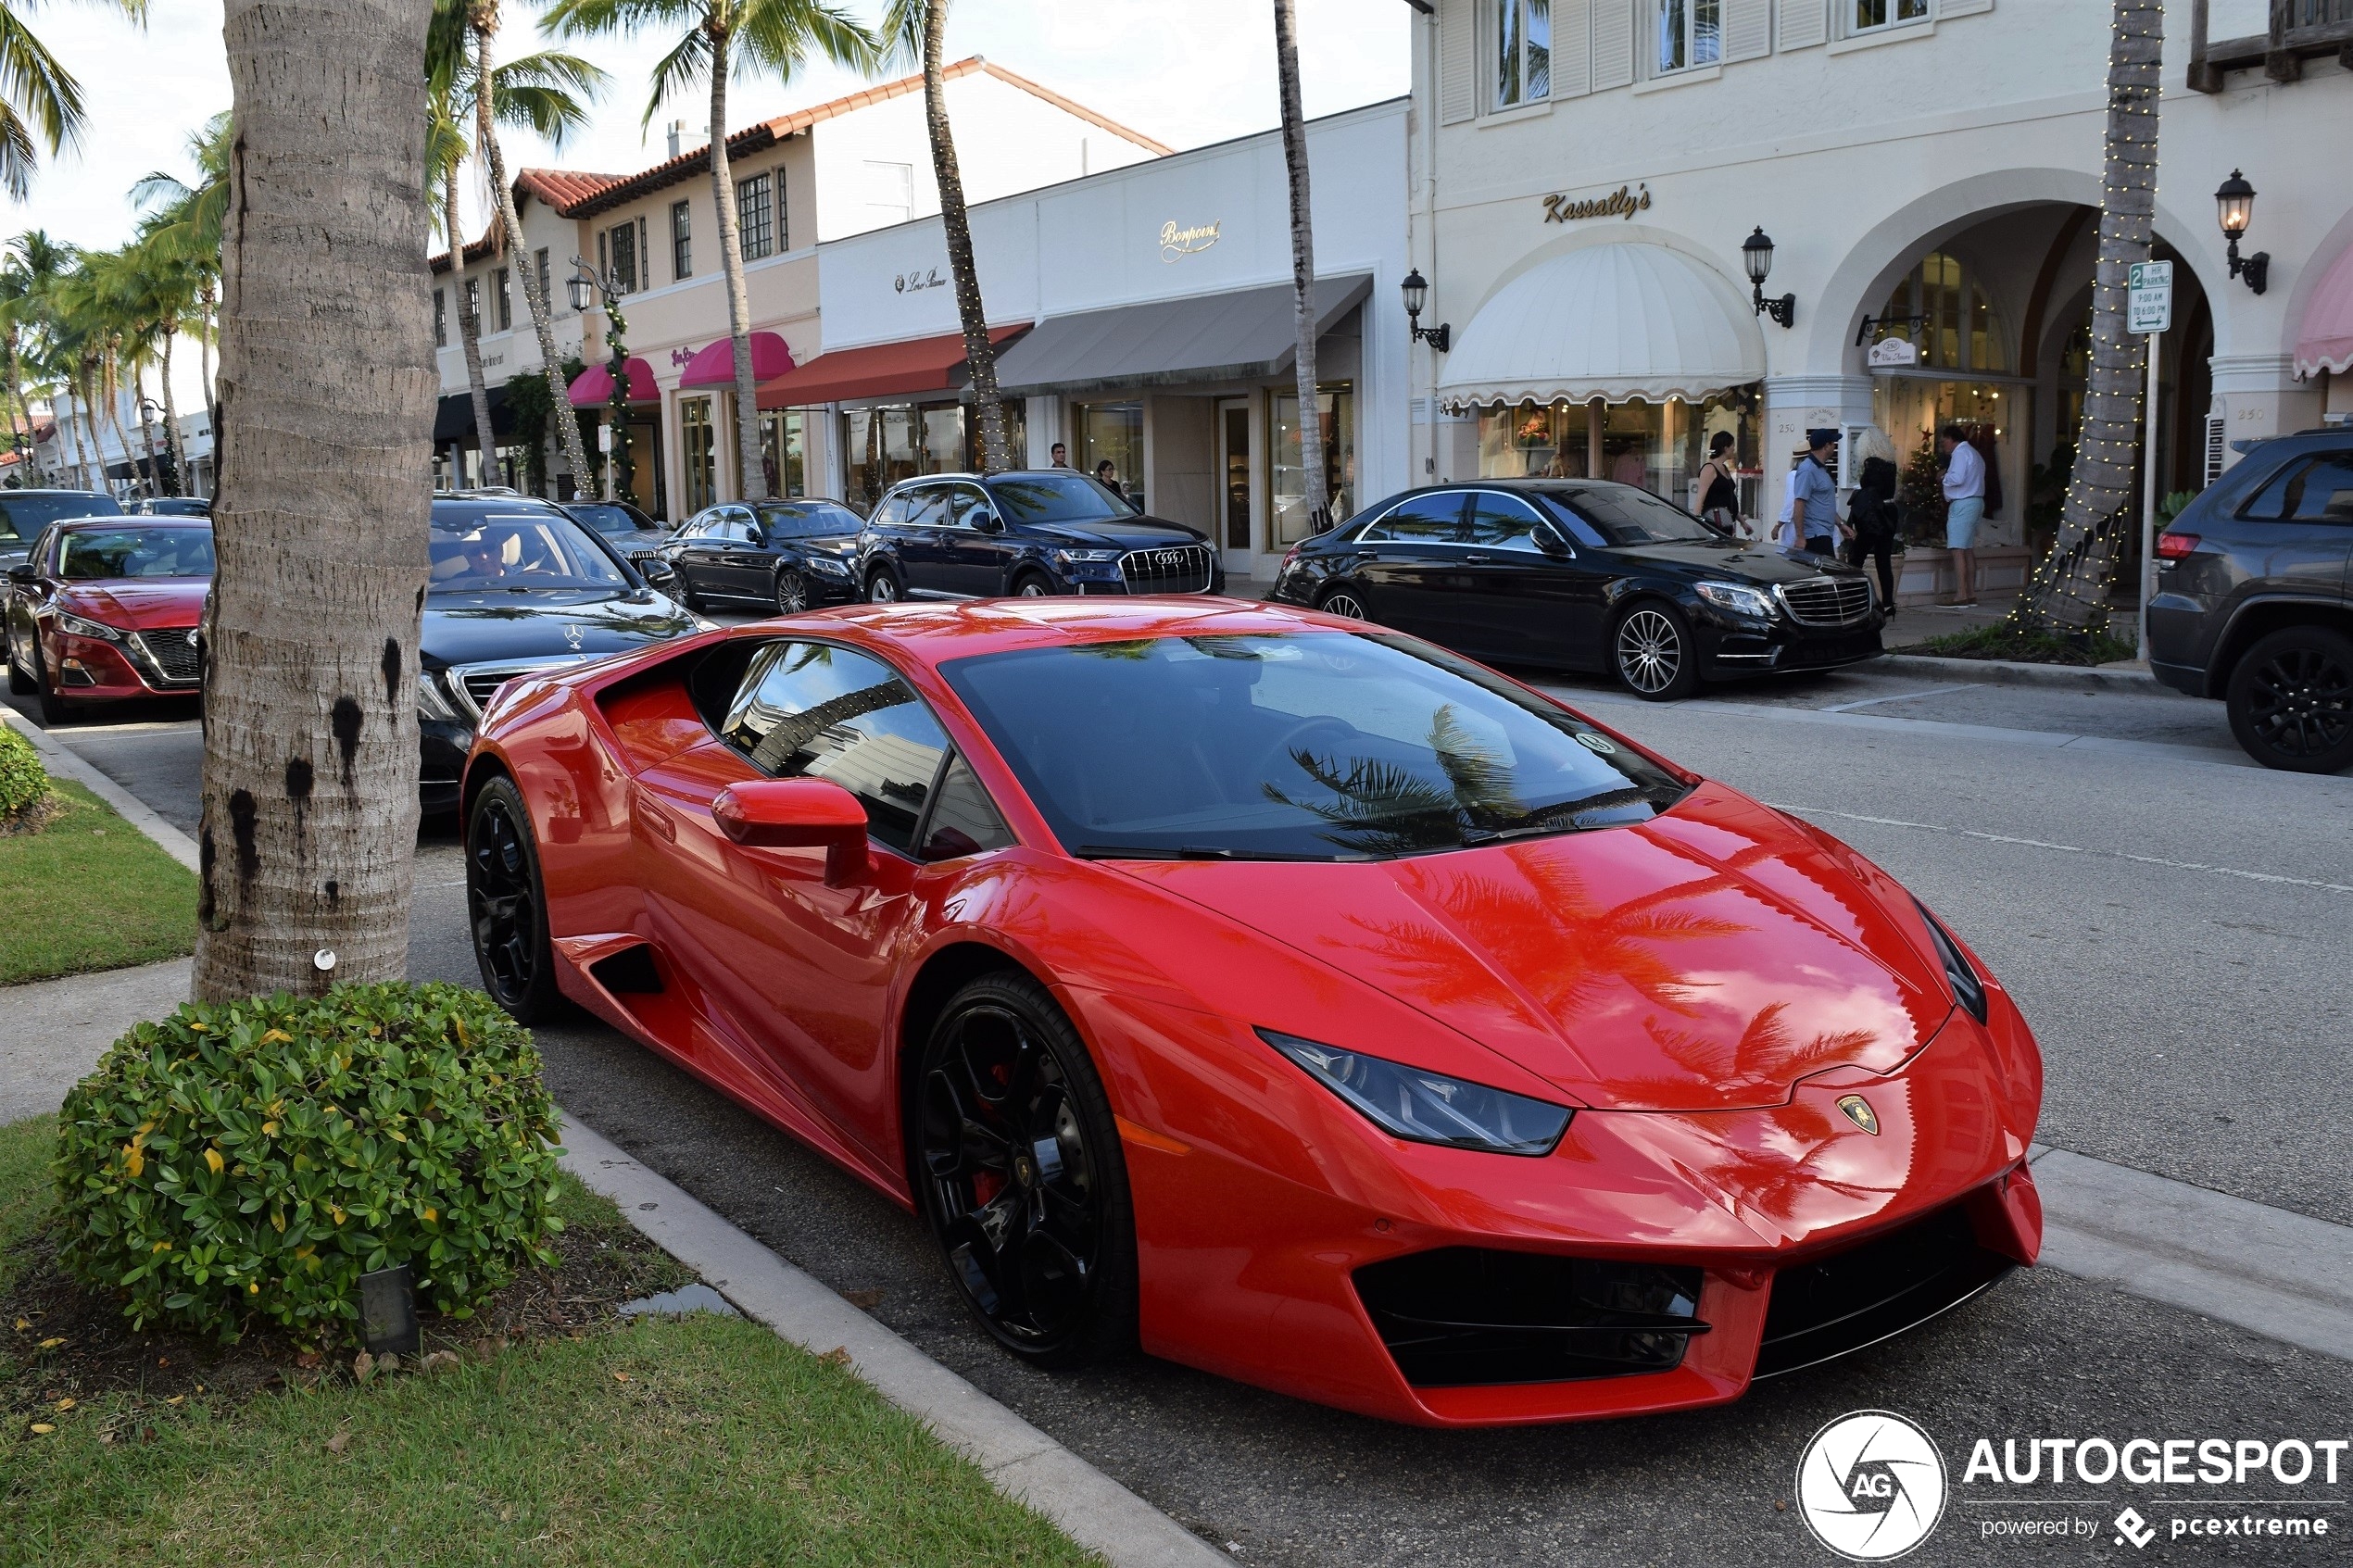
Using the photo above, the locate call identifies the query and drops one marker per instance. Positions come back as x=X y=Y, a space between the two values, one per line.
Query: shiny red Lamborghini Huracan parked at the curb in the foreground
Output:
x=1281 y=996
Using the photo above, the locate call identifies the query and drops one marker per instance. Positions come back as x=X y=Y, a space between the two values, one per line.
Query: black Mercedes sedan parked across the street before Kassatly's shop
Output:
x=1585 y=575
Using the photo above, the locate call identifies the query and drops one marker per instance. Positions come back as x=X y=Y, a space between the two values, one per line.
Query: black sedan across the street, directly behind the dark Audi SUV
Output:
x=782 y=556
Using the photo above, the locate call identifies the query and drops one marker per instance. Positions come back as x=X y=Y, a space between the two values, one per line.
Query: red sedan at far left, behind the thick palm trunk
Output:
x=107 y=610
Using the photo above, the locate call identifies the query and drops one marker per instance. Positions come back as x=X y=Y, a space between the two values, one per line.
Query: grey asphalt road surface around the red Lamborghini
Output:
x=2175 y=925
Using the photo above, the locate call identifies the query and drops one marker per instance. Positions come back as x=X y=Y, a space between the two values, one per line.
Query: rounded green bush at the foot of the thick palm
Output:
x=246 y=1165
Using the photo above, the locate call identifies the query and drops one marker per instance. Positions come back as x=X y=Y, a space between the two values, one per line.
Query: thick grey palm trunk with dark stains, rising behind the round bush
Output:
x=309 y=819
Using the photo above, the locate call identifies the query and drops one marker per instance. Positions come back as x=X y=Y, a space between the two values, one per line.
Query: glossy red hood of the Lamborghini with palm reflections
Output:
x=1705 y=960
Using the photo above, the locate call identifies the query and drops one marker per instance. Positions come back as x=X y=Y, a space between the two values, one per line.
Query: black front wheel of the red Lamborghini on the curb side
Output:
x=1022 y=1174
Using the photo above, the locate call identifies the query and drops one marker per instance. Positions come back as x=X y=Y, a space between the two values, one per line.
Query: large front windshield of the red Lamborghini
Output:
x=1302 y=746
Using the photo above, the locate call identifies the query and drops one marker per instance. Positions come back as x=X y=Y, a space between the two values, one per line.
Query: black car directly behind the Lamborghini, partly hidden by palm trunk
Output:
x=516 y=587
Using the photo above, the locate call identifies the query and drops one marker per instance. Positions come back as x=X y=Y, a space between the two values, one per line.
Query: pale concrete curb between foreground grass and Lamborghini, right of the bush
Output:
x=1018 y=1459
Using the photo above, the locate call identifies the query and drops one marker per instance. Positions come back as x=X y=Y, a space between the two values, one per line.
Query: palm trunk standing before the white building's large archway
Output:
x=2069 y=591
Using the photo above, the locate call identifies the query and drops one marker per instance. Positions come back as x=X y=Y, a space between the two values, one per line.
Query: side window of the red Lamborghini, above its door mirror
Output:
x=813 y=711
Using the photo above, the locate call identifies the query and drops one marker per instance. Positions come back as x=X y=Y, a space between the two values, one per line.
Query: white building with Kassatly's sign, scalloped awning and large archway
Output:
x=1928 y=170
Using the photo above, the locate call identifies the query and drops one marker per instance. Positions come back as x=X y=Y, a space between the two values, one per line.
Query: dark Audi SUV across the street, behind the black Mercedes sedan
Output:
x=1032 y=532
